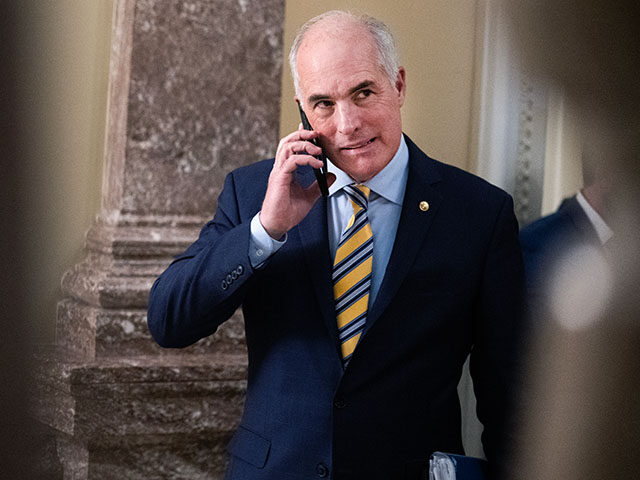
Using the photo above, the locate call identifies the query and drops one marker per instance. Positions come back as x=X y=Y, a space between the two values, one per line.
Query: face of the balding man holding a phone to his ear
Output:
x=350 y=101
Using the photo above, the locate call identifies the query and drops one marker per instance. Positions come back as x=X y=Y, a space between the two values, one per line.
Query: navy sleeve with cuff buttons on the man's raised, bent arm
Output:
x=204 y=286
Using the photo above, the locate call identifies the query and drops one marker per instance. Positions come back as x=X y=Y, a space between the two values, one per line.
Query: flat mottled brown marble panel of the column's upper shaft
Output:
x=203 y=99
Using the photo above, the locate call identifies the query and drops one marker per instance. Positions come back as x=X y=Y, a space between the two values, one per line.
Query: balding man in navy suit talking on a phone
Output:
x=441 y=277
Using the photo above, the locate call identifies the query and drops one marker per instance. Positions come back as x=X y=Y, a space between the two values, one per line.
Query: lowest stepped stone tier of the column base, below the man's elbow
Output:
x=163 y=417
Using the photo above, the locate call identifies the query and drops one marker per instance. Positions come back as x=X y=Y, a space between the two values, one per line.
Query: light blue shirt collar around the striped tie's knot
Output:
x=385 y=183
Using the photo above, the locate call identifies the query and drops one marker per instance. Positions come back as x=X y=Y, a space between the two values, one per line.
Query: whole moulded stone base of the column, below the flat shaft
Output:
x=115 y=404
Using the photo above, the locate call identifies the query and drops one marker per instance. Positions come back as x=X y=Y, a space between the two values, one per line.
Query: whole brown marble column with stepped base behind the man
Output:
x=194 y=92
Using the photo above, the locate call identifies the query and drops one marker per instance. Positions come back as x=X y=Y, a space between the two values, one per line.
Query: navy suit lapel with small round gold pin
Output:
x=413 y=226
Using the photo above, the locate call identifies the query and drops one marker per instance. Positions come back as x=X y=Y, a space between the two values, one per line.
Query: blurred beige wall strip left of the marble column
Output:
x=66 y=63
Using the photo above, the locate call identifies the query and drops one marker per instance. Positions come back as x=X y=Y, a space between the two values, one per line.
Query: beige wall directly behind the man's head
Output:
x=436 y=43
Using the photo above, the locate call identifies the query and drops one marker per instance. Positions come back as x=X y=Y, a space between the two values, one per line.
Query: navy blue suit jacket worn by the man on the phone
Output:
x=452 y=286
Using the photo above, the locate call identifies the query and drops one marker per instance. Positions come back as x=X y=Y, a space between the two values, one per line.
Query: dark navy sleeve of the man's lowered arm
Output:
x=495 y=354
